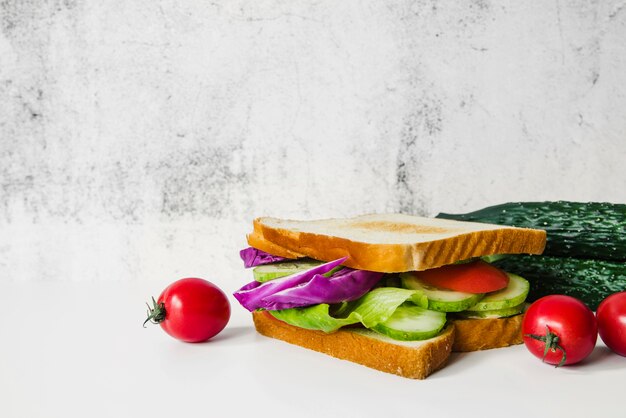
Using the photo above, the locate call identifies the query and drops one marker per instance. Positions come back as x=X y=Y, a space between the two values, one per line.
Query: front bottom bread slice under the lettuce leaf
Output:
x=412 y=359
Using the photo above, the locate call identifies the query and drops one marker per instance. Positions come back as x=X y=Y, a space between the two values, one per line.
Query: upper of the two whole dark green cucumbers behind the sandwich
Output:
x=574 y=229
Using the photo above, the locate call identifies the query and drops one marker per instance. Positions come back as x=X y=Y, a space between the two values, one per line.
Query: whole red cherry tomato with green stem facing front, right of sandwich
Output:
x=559 y=329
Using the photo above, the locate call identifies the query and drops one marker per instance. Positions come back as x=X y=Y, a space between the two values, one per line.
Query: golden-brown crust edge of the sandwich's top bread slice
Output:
x=401 y=257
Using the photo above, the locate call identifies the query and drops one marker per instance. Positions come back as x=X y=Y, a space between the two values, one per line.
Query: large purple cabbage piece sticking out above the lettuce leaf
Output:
x=307 y=288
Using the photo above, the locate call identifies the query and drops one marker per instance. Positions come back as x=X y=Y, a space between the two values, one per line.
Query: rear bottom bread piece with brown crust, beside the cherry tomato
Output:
x=487 y=333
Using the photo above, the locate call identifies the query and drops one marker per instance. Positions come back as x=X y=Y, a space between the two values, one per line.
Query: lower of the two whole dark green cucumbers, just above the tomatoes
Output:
x=588 y=280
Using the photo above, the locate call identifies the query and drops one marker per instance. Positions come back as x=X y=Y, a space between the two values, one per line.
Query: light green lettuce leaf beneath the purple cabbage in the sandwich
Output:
x=371 y=309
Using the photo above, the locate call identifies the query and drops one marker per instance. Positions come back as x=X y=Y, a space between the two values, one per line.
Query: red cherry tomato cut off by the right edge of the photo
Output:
x=611 y=316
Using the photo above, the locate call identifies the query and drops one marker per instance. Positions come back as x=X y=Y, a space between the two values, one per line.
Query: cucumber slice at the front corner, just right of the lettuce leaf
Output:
x=411 y=323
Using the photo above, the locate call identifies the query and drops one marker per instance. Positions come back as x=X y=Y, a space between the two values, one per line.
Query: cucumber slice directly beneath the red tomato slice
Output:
x=441 y=300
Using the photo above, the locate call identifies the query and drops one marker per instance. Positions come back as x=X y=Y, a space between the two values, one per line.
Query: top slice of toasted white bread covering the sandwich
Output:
x=392 y=243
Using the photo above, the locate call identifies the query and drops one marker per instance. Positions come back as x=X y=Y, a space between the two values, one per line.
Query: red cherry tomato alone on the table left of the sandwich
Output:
x=191 y=310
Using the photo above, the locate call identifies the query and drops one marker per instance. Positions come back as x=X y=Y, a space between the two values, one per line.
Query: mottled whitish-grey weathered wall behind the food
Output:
x=138 y=138
